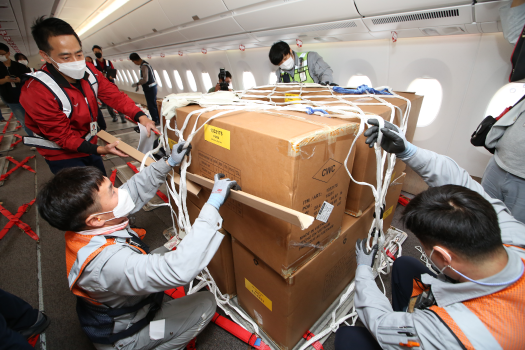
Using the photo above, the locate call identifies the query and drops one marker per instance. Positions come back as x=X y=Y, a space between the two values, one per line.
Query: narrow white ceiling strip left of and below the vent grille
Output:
x=315 y=30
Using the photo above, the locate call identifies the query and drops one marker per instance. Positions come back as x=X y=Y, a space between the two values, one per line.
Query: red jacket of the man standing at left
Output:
x=45 y=117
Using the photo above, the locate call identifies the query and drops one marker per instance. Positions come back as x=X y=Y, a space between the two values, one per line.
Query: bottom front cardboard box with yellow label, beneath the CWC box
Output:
x=286 y=309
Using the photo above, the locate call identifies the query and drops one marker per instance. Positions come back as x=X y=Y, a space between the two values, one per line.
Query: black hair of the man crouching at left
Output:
x=67 y=200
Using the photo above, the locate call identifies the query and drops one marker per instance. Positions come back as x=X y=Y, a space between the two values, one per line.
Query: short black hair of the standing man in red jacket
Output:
x=42 y=29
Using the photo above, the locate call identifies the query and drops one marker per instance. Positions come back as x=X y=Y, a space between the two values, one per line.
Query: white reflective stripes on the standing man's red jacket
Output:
x=64 y=103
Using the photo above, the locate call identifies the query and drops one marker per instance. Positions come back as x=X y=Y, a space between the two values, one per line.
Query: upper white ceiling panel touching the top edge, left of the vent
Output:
x=286 y=13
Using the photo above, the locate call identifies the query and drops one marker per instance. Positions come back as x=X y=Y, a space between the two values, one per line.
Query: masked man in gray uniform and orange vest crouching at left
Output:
x=118 y=284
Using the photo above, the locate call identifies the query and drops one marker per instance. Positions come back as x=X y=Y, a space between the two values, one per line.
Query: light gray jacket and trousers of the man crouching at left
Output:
x=121 y=276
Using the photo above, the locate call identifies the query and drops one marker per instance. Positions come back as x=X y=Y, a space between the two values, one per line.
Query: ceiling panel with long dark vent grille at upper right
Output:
x=447 y=16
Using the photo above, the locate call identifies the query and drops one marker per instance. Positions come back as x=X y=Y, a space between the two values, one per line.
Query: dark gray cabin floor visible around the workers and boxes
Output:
x=36 y=271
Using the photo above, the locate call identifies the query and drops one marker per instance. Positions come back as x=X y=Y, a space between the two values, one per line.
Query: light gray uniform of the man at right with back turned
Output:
x=375 y=310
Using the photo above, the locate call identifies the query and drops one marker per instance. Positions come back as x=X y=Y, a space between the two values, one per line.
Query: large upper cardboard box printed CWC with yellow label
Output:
x=292 y=159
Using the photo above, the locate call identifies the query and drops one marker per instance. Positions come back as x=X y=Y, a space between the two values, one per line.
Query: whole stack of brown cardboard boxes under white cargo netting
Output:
x=285 y=277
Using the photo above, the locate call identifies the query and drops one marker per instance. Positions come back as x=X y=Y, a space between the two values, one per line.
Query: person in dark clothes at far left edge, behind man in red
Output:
x=10 y=84
